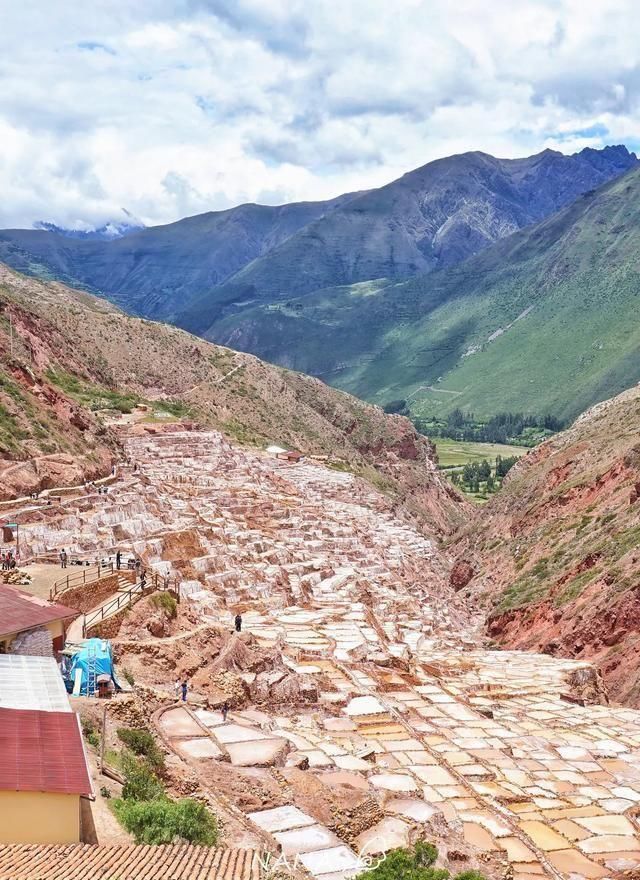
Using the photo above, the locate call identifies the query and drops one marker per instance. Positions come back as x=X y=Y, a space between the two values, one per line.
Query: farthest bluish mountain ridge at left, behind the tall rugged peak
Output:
x=155 y=272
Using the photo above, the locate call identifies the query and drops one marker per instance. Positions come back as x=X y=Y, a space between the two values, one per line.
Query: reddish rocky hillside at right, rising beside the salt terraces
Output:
x=555 y=555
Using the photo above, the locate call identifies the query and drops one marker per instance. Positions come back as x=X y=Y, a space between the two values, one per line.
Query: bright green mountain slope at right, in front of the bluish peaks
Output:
x=543 y=321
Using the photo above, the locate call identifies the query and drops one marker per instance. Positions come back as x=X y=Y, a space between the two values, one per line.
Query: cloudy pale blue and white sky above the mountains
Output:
x=167 y=109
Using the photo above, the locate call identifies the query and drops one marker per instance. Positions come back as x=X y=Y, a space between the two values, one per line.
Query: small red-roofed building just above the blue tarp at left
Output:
x=22 y=612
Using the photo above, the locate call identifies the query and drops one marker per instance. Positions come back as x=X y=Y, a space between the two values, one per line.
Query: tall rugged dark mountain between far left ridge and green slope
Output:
x=433 y=217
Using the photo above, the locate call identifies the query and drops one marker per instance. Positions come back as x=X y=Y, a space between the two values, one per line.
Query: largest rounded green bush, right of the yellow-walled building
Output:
x=165 y=821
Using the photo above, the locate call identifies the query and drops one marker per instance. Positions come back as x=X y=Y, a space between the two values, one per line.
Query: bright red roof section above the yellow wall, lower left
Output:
x=42 y=751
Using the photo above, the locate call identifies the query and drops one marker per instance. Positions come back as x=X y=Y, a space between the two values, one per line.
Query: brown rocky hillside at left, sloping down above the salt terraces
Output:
x=70 y=361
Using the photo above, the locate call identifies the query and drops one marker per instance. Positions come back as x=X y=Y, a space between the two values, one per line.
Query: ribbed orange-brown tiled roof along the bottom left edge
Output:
x=167 y=862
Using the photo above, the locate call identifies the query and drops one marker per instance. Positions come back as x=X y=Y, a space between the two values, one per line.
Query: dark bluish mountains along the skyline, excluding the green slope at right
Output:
x=191 y=271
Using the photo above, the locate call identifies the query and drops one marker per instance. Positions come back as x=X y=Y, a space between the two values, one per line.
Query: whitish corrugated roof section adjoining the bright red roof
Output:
x=32 y=683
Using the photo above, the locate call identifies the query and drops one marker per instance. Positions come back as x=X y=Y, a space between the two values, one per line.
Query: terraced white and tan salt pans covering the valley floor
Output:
x=364 y=710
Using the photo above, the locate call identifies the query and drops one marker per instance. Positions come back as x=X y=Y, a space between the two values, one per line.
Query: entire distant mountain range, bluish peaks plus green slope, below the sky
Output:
x=471 y=282
